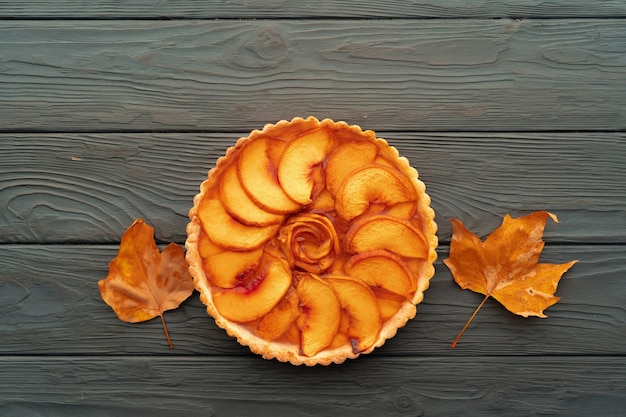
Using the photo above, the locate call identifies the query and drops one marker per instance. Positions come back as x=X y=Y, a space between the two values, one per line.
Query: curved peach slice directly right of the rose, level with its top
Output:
x=386 y=232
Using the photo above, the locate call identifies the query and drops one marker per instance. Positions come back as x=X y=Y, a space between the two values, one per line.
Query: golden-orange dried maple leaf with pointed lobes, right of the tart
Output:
x=505 y=266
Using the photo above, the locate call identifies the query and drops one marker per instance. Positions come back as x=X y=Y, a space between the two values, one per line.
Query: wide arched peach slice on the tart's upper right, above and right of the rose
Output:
x=373 y=184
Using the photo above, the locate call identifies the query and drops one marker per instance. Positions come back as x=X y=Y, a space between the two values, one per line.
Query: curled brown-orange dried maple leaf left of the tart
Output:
x=143 y=282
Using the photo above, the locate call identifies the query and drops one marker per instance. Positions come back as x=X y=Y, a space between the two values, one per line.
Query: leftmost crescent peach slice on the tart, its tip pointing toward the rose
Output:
x=228 y=232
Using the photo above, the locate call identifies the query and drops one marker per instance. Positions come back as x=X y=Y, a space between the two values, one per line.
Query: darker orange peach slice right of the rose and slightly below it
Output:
x=379 y=268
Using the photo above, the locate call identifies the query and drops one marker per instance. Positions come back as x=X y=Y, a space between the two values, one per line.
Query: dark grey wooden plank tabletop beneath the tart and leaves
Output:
x=111 y=111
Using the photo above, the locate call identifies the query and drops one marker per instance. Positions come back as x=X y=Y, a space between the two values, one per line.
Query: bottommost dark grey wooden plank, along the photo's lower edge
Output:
x=167 y=386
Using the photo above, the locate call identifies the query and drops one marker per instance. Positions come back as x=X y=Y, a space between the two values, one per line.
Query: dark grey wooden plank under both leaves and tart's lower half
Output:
x=50 y=305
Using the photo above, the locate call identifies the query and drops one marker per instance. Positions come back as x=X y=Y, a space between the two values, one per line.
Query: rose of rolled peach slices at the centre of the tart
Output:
x=310 y=242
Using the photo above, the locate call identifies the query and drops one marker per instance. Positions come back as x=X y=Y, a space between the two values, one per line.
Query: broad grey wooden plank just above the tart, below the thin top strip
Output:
x=494 y=75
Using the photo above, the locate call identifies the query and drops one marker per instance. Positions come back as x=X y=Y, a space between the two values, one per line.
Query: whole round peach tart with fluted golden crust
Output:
x=311 y=241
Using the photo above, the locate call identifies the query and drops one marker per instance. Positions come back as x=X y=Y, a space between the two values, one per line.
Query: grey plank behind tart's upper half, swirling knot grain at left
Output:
x=90 y=187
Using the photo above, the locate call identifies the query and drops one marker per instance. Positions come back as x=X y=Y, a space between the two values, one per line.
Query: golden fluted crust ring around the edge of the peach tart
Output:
x=289 y=352
